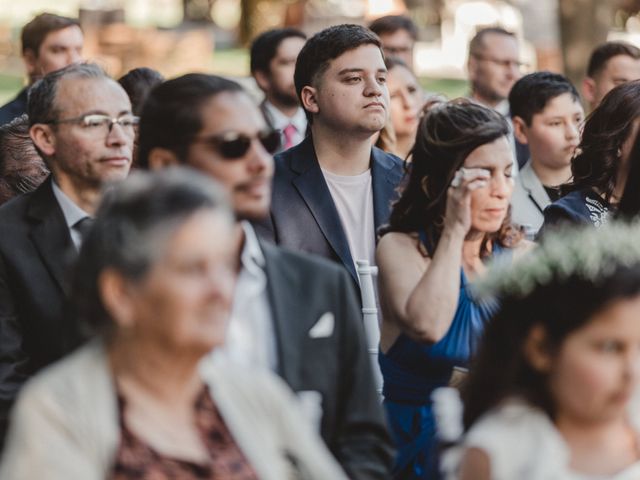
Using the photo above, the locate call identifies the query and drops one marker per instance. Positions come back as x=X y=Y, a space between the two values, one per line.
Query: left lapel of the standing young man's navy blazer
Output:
x=313 y=189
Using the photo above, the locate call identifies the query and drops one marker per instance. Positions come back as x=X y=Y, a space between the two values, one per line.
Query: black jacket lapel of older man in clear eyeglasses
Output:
x=50 y=233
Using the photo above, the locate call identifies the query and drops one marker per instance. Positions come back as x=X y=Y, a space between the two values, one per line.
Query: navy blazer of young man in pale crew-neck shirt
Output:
x=303 y=214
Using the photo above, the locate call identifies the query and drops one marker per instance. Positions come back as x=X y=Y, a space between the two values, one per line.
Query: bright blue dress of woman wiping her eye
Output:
x=412 y=370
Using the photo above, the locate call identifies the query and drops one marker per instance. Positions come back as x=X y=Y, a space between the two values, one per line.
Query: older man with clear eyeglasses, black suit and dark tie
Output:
x=82 y=126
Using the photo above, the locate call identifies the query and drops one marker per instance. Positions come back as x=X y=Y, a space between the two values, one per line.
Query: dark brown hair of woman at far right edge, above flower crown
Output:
x=605 y=131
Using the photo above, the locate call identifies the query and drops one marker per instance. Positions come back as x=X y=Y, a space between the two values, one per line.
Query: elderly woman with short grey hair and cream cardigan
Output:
x=154 y=277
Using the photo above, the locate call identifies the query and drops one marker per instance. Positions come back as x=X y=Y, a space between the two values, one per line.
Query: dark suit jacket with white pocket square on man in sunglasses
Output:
x=301 y=289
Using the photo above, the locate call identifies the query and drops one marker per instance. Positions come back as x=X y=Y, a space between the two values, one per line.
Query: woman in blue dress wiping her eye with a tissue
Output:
x=451 y=217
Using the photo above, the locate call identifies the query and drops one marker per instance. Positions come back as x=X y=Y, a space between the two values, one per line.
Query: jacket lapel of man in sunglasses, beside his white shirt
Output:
x=287 y=323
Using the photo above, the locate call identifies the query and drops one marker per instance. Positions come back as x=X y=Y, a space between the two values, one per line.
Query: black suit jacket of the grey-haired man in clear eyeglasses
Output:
x=35 y=247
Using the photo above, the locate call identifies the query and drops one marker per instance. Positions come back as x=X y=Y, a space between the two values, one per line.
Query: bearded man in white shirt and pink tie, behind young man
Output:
x=273 y=61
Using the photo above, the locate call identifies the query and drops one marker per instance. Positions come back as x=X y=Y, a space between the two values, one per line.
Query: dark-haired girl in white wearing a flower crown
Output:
x=551 y=393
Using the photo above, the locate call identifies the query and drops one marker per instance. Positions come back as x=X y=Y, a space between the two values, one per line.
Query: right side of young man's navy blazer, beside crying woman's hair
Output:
x=385 y=180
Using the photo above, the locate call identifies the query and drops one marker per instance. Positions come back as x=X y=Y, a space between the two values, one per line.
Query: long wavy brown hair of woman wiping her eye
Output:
x=446 y=136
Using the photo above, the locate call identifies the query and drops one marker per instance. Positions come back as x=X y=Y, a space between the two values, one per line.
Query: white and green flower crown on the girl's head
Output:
x=586 y=252
